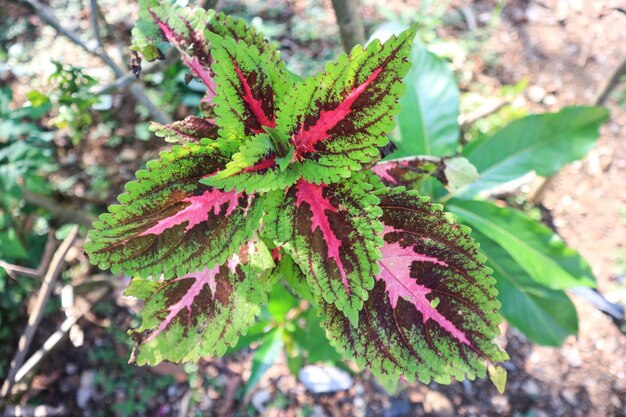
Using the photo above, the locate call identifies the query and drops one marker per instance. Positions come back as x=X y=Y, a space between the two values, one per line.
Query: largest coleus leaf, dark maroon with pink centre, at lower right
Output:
x=432 y=313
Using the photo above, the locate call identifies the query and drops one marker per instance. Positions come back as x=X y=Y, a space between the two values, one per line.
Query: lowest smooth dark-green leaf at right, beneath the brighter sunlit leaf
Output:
x=544 y=315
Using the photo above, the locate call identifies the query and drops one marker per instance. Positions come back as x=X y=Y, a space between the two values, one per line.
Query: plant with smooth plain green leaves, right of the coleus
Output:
x=530 y=262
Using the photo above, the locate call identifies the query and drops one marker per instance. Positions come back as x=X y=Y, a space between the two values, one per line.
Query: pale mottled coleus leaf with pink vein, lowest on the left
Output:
x=204 y=312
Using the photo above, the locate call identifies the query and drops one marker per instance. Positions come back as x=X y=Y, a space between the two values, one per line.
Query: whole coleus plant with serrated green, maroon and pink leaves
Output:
x=276 y=169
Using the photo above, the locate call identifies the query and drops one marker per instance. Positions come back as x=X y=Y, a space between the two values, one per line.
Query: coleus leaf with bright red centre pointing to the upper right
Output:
x=337 y=120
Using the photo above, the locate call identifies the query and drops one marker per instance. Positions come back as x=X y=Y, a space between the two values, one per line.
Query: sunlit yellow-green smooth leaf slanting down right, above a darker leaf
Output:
x=538 y=250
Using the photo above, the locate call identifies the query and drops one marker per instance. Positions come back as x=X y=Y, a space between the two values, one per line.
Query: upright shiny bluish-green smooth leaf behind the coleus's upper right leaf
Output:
x=428 y=123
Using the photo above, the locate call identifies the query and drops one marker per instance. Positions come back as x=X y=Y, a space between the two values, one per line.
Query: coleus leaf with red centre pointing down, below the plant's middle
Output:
x=332 y=233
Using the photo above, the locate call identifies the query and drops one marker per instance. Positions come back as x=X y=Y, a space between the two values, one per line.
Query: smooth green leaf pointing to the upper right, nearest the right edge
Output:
x=543 y=143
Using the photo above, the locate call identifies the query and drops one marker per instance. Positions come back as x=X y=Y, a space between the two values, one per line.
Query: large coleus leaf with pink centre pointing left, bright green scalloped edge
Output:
x=170 y=223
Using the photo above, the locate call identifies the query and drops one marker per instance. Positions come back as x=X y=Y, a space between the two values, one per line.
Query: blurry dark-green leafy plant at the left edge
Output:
x=25 y=155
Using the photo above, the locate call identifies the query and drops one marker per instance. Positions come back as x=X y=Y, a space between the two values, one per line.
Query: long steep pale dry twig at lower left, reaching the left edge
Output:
x=52 y=273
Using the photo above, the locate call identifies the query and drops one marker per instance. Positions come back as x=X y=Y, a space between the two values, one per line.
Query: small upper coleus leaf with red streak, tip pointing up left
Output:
x=250 y=88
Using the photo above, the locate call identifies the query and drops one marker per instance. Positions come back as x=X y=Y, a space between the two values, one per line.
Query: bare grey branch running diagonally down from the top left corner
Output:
x=46 y=15
